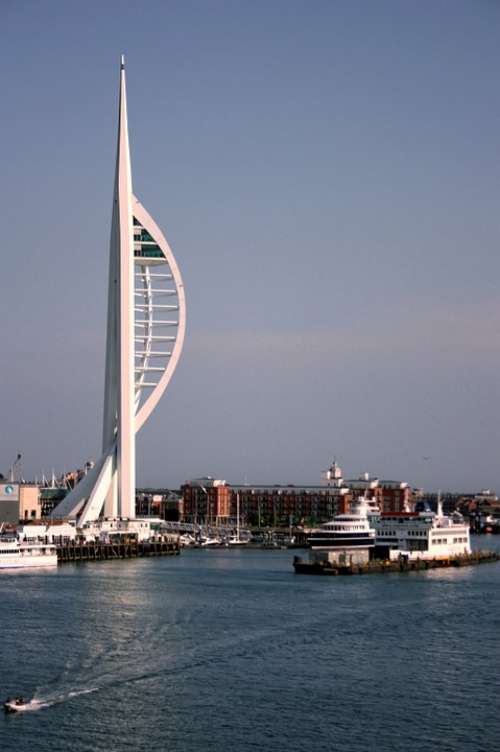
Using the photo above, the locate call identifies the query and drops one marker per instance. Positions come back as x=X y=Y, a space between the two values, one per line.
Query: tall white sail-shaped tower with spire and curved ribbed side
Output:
x=145 y=334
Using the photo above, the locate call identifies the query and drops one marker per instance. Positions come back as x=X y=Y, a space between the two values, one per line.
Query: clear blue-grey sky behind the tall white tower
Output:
x=327 y=174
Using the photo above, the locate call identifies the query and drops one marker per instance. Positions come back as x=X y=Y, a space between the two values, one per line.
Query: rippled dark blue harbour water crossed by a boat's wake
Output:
x=229 y=650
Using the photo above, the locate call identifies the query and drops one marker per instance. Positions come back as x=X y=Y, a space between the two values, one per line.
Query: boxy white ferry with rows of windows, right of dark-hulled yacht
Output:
x=422 y=534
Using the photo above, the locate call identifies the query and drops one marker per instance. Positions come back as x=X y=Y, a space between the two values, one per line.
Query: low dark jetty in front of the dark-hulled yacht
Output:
x=375 y=566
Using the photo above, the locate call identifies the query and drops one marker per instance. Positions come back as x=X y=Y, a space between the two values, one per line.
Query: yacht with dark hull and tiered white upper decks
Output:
x=346 y=531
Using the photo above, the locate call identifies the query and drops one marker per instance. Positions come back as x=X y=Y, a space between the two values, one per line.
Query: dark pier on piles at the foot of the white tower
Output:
x=120 y=549
